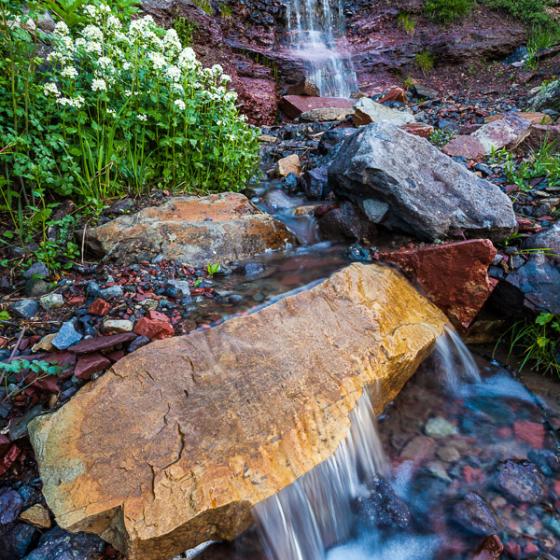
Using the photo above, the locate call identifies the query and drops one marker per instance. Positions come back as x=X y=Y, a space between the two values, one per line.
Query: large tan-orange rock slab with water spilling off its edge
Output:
x=179 y=440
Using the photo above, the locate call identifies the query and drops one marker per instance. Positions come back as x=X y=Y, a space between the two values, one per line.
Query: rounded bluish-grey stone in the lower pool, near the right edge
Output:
x=521 y=481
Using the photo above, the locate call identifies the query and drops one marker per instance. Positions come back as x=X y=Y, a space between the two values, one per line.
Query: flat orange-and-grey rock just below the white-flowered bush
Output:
x=194 y=230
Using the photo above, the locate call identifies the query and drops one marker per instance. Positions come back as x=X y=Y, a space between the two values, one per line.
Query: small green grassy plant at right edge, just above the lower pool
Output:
x=537 y=343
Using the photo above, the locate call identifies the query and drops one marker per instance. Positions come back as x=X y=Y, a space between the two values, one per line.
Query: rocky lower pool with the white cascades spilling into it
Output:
x=464 y=462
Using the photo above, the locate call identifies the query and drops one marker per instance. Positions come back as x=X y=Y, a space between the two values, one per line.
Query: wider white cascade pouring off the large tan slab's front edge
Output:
x=301 y=521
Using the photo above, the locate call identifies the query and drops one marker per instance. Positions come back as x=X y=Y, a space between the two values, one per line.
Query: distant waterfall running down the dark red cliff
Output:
x=315 y=31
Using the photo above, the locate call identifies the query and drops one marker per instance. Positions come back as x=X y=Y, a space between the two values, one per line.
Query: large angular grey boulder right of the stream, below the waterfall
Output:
x=428 y=194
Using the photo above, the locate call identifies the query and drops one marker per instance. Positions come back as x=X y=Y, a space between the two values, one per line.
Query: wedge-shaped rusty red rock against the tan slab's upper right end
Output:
x=453 y=275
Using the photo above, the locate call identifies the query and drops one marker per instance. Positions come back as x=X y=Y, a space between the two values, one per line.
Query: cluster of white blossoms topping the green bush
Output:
x=107 y=57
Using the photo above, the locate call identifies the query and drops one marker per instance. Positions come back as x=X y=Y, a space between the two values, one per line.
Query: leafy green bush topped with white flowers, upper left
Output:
x=117 y=108
